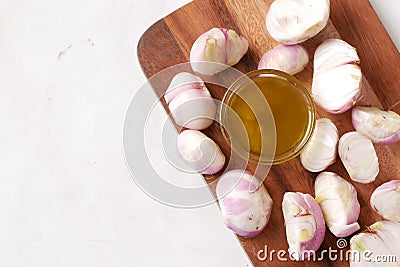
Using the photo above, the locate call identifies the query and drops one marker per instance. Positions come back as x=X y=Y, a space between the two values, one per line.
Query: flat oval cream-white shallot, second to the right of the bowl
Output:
x=358 y=157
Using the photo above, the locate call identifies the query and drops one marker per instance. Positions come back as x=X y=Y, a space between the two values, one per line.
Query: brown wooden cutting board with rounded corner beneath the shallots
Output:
x=169 y=40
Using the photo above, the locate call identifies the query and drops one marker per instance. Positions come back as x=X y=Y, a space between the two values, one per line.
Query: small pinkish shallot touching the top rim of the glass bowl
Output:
x=288 y=58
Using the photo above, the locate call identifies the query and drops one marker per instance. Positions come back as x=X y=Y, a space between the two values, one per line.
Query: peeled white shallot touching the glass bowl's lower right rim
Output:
x=320 y=151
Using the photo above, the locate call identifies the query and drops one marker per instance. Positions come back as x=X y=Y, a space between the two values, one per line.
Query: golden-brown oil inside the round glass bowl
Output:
x=289 y=109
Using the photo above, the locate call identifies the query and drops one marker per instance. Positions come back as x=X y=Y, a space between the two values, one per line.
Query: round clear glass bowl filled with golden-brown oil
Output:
x=267 y=116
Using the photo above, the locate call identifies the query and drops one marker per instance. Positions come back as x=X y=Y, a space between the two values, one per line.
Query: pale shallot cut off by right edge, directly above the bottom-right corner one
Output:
x=385 y=200
